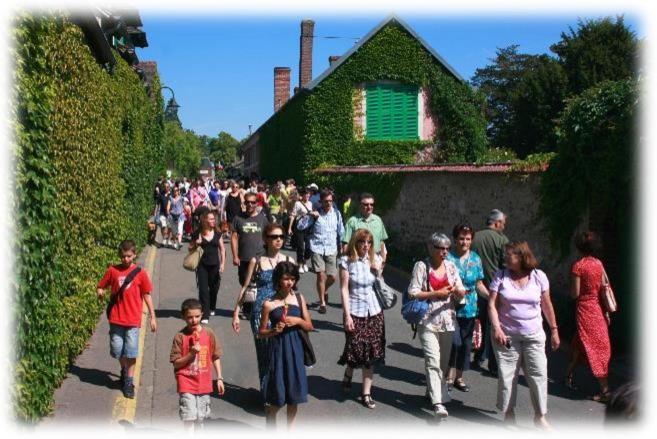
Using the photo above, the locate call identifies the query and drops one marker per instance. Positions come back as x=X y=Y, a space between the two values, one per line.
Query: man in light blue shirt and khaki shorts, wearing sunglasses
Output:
x=324 y=237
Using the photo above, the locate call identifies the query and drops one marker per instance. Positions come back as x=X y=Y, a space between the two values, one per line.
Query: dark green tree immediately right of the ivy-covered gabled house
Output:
x=525 y=95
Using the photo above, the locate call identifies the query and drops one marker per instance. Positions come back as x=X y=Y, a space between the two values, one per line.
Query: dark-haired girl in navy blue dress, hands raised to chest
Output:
x=285 y=382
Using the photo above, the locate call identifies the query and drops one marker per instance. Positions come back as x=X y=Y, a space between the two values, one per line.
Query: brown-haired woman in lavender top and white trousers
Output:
x=518 y=294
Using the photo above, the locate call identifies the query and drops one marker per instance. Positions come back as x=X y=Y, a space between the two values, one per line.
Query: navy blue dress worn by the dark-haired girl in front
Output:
x=285 y=381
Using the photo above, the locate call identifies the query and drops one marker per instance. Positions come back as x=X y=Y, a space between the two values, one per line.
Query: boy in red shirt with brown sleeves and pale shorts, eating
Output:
x=194 y=351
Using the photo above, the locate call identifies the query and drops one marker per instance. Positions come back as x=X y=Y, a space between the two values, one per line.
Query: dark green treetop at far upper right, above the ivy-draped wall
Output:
x=598 y=50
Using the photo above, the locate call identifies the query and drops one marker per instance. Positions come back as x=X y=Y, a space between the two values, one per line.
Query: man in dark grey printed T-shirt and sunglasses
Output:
x=246 y=240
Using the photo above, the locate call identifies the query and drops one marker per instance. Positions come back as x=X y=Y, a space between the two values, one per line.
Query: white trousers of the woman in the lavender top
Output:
x=528 y=352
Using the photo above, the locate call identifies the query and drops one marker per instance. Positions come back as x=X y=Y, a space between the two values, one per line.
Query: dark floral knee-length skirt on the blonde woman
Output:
x=366 y=344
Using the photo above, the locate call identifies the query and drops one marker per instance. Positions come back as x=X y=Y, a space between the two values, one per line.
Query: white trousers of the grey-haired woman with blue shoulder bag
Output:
x=437 y=347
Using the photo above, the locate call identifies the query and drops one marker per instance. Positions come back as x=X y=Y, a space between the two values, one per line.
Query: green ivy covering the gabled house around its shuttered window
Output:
x=316 y=128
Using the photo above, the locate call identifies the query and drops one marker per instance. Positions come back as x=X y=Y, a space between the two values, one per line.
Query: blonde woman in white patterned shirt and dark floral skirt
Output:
x=363 y=317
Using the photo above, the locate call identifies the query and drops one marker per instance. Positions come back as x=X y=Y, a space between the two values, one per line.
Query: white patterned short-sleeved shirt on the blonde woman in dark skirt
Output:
x=362 y=299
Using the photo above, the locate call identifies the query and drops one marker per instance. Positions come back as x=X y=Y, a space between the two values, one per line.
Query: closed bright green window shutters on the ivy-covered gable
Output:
x=391 y=112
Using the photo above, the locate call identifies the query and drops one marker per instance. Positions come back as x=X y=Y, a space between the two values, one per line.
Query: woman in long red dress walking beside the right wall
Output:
x=591 y=342
